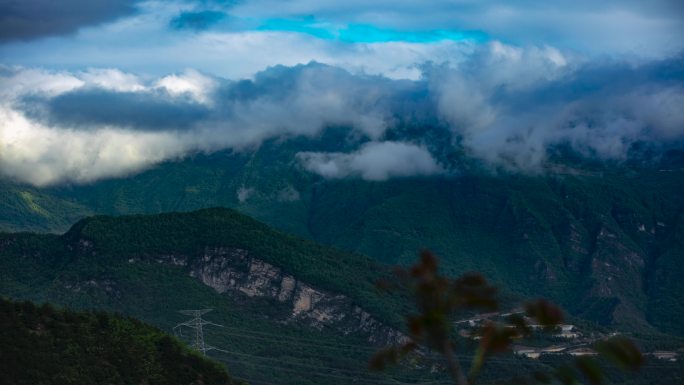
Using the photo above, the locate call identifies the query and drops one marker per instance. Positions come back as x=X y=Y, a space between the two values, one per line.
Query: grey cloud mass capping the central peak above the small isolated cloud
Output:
x=301 y=100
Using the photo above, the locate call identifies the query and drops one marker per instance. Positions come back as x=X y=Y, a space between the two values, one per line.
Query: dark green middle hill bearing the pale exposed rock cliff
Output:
x=328 y=324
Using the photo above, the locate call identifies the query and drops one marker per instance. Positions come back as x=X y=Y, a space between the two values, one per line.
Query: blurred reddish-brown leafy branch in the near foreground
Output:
x=438 y=299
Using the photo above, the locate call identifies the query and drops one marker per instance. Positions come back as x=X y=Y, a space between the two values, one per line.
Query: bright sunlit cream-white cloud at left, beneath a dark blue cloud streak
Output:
x=40 y=155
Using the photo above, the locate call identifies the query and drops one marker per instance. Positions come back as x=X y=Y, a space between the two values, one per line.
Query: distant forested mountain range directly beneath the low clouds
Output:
x=604 y=241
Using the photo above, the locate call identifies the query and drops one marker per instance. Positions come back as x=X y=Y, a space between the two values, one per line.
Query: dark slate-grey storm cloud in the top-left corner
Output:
x=30 y=19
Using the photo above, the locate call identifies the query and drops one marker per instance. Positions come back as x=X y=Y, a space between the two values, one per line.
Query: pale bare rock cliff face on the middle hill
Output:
x=237 y=273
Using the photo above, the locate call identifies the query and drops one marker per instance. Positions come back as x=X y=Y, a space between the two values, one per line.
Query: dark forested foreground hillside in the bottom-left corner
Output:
x=43 y=345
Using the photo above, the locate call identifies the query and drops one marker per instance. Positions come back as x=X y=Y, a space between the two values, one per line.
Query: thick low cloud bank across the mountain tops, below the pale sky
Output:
x=504 y=105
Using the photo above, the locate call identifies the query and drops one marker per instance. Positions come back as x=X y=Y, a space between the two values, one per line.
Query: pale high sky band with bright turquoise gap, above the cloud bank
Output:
x=238 y=39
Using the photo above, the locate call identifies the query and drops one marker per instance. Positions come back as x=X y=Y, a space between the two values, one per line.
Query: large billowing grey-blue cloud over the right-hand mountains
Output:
x=511 y=112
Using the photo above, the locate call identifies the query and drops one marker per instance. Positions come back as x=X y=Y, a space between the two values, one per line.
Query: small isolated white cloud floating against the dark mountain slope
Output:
x=376 y=161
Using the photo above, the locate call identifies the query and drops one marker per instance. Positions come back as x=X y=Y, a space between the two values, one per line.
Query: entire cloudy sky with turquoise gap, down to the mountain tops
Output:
x=93 y=89
